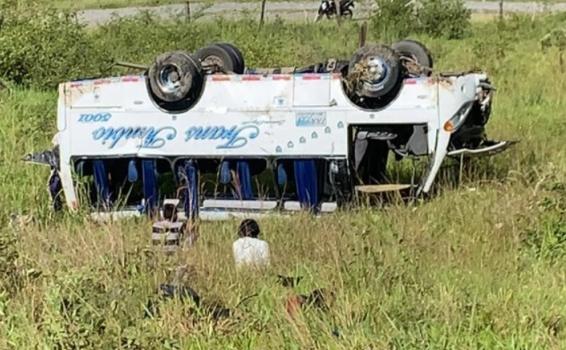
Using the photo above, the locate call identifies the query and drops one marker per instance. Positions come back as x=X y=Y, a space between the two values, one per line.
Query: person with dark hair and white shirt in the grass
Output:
x=249 y=250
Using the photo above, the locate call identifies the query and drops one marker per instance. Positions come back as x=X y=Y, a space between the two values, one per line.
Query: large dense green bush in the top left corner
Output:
x=41 y=47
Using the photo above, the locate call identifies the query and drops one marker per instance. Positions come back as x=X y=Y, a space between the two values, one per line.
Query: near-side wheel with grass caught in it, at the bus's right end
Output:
x=362 y=79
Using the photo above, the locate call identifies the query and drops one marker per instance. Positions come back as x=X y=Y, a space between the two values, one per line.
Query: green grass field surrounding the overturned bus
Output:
x=481 y=265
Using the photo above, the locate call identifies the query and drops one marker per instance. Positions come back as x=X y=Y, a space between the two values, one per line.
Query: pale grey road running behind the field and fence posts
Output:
x=287 y=10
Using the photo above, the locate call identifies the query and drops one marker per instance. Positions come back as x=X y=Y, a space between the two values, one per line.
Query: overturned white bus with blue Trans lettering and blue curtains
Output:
x=222 y=137
